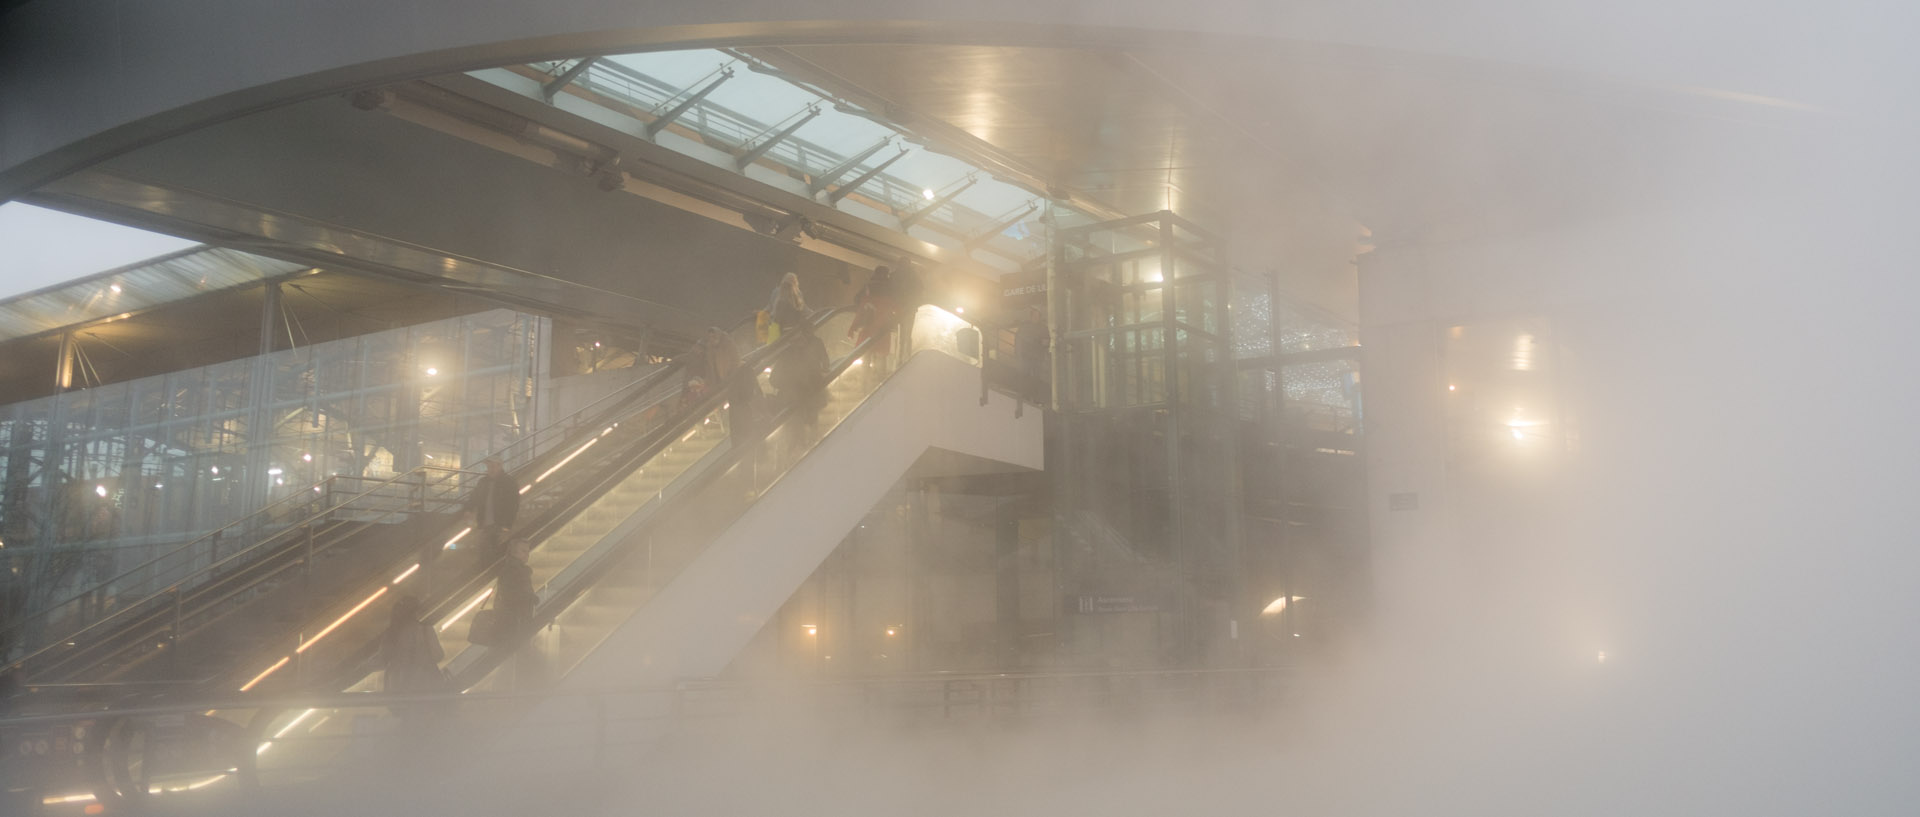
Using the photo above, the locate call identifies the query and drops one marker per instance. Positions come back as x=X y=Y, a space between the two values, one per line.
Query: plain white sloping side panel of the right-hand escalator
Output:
x=696 y=624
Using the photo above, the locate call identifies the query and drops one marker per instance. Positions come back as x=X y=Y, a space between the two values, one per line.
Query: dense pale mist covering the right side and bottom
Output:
x=1704 y=601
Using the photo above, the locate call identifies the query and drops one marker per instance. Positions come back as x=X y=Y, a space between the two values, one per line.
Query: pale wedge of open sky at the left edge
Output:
x=45 y=248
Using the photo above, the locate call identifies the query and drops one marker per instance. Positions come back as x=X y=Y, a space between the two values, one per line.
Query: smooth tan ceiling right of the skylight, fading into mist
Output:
x=1293 y=151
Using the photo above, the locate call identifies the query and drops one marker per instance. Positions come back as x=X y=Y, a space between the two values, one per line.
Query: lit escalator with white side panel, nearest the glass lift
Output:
x=663 y=542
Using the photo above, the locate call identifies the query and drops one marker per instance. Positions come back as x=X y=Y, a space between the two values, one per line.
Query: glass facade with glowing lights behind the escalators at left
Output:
x=126 y=469
